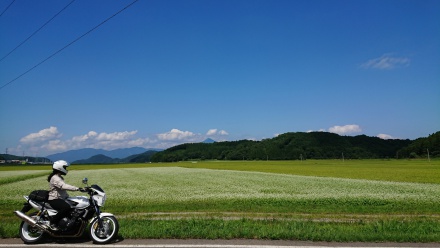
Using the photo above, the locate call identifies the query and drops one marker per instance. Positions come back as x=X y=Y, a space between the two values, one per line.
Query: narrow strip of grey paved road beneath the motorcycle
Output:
x=201 y=243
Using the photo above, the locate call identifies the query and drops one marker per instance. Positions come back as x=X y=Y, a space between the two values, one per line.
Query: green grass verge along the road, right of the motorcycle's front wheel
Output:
x=374 y=231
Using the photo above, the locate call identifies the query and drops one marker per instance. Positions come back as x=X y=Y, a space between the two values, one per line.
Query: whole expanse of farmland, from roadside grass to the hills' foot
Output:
x=365 y=200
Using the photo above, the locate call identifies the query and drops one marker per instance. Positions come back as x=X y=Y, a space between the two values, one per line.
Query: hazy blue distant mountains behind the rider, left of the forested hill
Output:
x=86 y=153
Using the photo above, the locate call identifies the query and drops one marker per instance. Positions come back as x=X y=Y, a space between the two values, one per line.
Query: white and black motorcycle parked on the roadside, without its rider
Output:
x=102 y=228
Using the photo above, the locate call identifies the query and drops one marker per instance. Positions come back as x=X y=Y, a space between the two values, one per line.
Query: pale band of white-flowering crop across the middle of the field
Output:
x=144 y=186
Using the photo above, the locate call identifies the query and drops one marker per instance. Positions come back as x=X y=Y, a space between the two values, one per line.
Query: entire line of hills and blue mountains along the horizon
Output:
x=287 y=146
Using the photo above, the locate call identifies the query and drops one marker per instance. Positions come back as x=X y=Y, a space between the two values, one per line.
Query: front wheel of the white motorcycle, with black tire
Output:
x=107 y=233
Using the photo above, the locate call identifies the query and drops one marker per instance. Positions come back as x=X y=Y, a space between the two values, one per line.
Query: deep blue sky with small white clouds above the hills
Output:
x=162 y=73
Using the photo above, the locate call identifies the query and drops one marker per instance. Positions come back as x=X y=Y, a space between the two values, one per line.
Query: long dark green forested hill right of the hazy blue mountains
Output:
x=288 y=146
